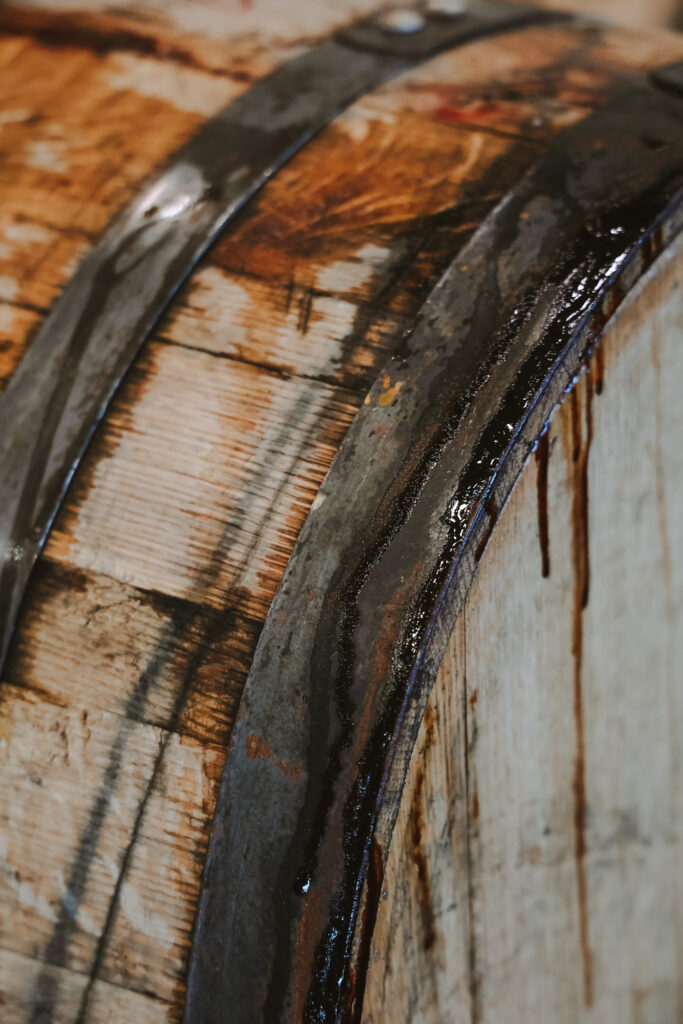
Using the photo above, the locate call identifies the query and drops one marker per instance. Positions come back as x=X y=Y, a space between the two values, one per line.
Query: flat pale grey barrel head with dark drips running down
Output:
x=535 y=873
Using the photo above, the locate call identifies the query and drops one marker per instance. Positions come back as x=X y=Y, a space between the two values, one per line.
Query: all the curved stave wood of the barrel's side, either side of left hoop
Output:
x=145 y=612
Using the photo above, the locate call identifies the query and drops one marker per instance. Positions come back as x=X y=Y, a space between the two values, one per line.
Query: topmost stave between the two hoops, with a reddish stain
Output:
x=568 y=71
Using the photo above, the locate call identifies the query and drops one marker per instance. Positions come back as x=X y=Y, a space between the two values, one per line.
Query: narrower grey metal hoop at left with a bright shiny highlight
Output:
x=65 y=383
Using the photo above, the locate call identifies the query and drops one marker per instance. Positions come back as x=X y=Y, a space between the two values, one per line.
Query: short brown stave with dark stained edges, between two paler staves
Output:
x=78 y=620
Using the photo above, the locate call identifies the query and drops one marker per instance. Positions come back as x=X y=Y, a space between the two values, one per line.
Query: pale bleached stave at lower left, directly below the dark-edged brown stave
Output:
x=75 y=788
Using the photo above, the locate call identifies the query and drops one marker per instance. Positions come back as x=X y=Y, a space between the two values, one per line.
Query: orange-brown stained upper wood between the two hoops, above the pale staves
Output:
x=531 y=83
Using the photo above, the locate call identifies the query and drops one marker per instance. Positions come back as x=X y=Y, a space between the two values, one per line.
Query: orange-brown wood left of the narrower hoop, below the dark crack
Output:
x=69 y=160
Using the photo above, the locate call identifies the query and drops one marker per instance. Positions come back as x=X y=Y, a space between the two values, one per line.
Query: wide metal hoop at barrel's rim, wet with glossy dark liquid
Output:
x=358 y=630
